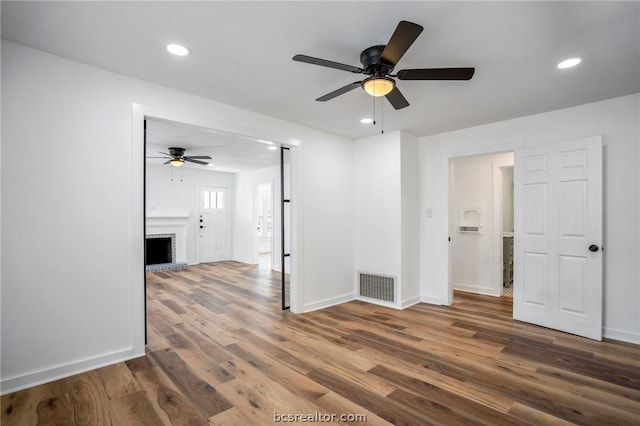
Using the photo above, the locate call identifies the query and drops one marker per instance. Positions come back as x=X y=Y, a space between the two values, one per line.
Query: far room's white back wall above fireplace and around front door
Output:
x=179 y=197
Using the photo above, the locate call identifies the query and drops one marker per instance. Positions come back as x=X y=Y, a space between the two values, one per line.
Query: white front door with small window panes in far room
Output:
x=213 y=224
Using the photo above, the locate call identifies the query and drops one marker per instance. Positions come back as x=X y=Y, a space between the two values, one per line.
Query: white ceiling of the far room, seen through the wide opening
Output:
x=230 y=153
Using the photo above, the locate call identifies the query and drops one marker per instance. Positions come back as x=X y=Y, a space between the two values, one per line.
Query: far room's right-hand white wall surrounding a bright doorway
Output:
x=244 y=246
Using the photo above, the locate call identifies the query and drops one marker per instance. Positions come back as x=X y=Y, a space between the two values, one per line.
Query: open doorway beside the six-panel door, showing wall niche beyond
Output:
x=481 y=224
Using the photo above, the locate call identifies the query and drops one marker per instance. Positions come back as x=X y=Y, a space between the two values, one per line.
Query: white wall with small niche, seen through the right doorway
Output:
x=475 y=256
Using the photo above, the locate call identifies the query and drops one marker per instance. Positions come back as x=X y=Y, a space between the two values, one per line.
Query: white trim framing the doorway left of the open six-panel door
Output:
x=445 y=286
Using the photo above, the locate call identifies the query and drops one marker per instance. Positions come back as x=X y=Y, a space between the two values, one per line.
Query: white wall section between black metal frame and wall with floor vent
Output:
x=327 y=206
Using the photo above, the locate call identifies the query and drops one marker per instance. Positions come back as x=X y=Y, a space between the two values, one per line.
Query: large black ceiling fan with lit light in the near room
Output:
x=378 y=63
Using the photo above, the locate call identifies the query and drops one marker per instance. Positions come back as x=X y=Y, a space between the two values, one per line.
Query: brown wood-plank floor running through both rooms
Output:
x=221 y=352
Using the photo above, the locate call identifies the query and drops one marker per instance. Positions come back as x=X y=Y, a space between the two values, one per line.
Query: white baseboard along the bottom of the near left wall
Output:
x=13 y=384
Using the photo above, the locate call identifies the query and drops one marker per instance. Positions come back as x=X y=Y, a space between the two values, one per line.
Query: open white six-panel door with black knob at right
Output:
x=558 y=236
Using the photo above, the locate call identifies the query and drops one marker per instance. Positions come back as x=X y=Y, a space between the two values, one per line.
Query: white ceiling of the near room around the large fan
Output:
x=242 y=54
